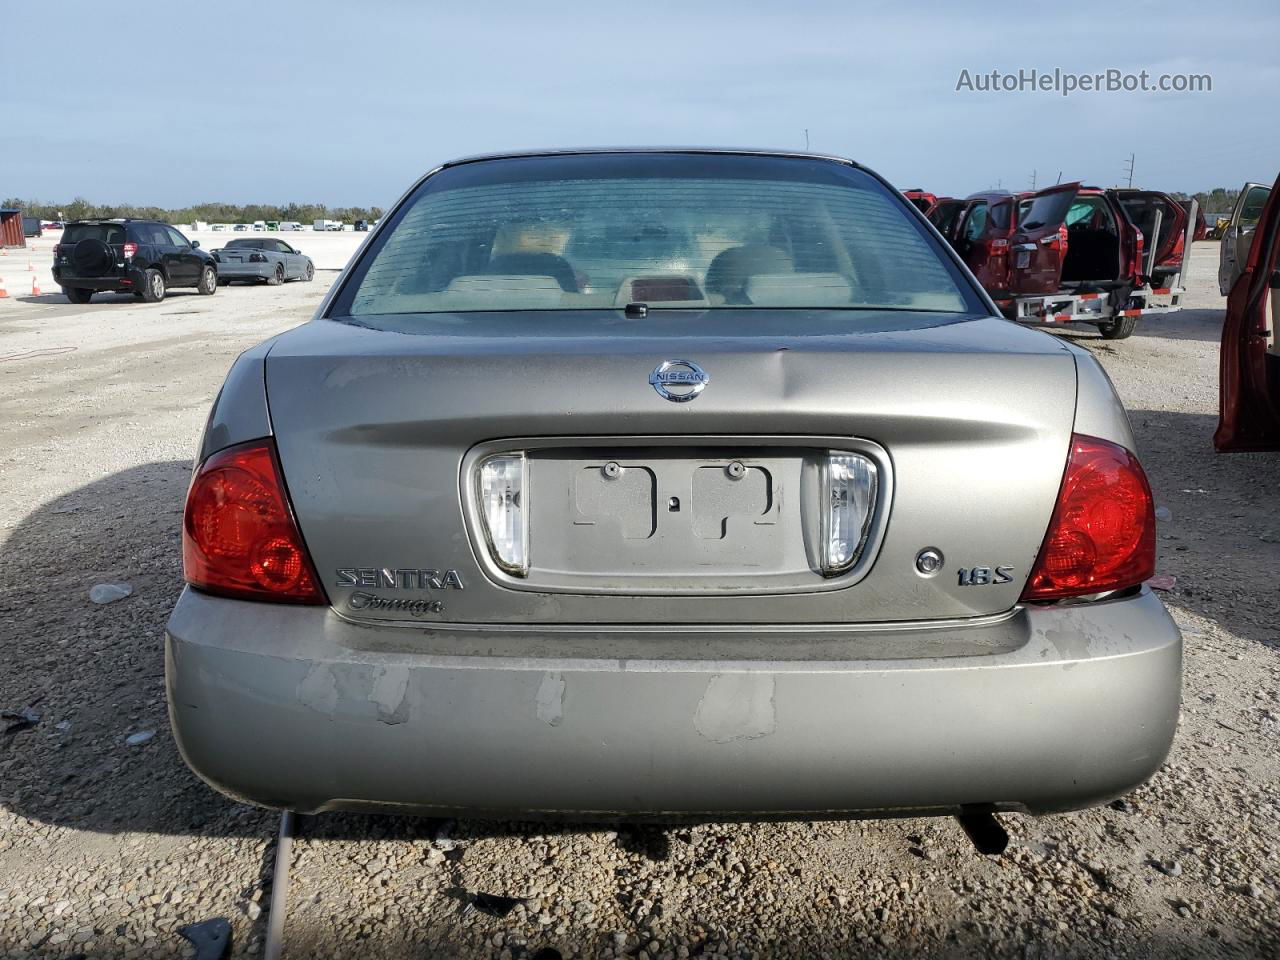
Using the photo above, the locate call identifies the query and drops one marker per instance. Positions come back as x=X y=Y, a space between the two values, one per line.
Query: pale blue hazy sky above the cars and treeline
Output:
x=348 y=103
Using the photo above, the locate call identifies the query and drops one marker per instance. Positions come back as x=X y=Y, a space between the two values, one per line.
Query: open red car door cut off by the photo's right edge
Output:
x=1250 y=364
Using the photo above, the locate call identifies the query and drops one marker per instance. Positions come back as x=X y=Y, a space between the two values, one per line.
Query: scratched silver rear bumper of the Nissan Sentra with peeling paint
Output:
x=1050 y=710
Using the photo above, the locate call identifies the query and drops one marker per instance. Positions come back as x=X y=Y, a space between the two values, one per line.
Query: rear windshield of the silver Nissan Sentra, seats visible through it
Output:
x=671 y=231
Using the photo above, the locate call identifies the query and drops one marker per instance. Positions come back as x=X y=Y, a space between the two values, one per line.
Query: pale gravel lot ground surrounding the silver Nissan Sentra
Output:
x=108 y=845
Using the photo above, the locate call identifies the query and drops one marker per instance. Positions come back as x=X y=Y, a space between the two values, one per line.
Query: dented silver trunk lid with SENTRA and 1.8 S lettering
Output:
x=381 y=433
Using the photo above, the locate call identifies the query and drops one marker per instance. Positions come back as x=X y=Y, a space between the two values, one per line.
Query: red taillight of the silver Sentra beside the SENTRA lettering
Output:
x=239 y=536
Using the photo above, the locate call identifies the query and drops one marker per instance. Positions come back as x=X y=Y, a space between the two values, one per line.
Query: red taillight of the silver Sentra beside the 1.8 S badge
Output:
x=1103 y=536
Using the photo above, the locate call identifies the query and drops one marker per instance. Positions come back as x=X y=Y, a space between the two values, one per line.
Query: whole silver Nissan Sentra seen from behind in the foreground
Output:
x=668 y=483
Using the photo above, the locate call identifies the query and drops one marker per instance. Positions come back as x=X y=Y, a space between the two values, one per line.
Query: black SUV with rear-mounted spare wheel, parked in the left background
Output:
x=144 y=258
